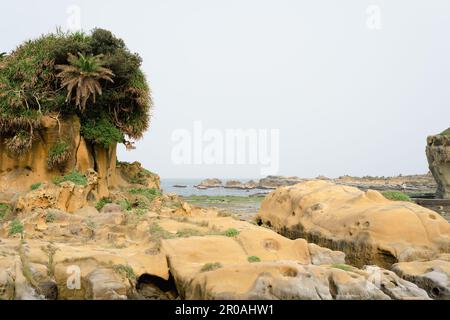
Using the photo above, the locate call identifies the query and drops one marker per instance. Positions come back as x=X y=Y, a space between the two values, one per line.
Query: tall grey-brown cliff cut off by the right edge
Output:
x=438 y=155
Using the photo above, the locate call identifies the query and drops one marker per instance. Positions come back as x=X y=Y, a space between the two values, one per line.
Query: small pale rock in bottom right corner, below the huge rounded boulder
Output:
x=433 y=276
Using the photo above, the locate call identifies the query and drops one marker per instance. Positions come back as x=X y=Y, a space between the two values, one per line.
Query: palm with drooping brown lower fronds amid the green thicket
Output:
x=83 y=73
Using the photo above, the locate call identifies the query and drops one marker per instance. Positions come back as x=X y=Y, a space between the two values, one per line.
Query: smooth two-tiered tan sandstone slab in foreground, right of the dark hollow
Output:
x=285 y=271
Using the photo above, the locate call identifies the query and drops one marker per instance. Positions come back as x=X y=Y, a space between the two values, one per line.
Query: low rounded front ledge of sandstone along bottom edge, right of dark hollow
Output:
x=288 y=280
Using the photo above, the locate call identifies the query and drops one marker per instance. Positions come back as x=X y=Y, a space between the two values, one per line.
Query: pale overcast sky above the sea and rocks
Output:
x=346 y=98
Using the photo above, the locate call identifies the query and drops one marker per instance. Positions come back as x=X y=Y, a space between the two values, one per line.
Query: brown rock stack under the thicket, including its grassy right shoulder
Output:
x=17 y=174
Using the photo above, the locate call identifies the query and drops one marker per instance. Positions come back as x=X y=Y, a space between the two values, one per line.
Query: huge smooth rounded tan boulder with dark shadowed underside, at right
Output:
x=366 y=226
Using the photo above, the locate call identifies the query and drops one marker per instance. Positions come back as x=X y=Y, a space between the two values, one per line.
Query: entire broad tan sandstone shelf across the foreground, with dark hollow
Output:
x=171 y=252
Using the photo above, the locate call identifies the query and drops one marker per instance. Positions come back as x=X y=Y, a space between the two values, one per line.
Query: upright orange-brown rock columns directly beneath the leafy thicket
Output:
x=18 y=173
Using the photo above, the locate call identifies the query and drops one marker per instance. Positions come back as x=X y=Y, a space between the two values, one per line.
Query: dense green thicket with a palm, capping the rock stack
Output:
x=91 y=75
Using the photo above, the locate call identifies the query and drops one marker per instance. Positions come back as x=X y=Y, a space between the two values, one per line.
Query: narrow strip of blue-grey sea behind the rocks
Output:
x=168 y=187
